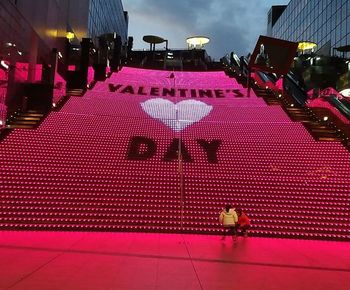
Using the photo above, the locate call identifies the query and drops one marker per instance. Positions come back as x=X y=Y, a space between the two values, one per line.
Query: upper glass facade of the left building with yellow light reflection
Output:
x=38 y=27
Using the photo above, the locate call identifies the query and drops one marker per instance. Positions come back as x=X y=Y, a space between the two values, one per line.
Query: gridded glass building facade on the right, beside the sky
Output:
x=325 y=22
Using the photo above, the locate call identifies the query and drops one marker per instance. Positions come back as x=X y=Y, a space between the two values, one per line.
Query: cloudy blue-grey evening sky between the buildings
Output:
x=230 y=24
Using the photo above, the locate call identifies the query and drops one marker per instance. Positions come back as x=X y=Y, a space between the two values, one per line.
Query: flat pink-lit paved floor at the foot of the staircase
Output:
x=106 y=261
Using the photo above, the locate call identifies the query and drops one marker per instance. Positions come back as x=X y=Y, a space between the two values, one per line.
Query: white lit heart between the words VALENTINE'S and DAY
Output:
x=176 y=116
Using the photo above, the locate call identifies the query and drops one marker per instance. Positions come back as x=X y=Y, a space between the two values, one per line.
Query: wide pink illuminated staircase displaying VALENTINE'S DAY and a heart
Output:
x=108 y=161
